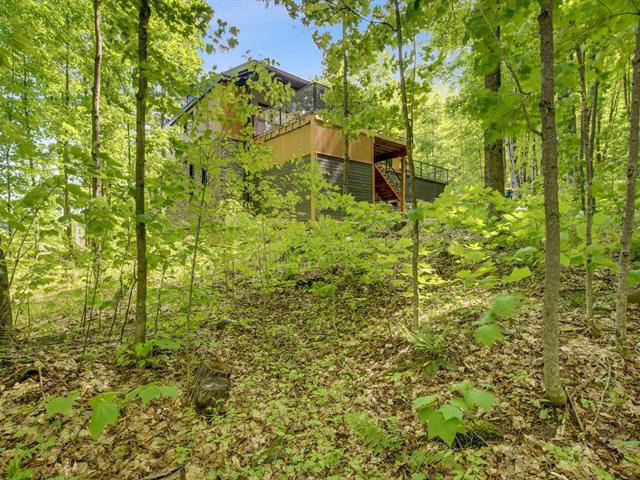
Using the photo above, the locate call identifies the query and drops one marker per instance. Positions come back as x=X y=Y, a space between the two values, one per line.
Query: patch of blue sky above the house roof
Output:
x=266 y=32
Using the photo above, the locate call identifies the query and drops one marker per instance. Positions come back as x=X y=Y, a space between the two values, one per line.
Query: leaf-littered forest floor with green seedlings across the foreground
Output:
x=299 y=370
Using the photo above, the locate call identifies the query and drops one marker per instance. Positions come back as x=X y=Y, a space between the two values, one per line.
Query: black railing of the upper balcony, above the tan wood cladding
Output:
x=306 y=100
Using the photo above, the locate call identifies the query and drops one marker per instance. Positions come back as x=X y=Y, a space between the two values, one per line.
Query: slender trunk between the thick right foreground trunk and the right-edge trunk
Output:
x=589 y=210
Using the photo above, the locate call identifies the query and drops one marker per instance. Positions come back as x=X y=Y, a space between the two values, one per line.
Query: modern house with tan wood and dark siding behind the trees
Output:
x=296 y=133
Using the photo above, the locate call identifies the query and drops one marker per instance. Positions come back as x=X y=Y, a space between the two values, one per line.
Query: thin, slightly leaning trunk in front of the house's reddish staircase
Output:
x=408 y=125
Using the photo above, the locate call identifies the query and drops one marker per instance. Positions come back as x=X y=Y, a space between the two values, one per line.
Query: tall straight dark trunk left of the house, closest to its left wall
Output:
x=141 y=234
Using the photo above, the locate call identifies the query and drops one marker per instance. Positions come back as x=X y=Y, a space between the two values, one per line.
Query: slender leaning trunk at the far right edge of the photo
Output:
x=629 y=207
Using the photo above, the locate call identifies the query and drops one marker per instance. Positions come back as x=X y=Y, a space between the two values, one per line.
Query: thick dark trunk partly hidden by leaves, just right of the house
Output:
x=493 y=146
